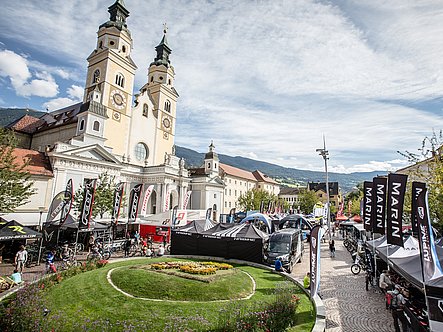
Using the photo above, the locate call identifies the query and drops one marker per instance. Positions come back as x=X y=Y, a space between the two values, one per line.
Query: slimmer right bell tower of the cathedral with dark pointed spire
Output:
x=161 y=88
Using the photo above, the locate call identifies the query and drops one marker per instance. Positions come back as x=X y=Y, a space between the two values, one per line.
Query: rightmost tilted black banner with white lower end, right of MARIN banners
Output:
x=430 y=263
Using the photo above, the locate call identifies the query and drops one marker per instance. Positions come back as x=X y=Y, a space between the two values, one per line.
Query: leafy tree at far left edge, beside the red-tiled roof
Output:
x=15 y=184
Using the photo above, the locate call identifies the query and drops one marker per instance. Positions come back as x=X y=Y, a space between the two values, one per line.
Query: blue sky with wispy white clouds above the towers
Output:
x=262 y=79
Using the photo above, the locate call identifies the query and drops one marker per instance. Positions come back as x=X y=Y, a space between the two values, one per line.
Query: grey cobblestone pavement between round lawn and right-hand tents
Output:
x=349 y=307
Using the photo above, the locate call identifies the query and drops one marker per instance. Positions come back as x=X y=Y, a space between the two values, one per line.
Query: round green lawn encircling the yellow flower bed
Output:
x=88 y=300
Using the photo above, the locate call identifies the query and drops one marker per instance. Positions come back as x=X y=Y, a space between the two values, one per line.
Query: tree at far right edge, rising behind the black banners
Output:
x=428 y=168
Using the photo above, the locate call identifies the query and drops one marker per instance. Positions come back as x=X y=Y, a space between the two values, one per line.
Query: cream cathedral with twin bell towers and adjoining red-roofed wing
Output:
x=130 y=136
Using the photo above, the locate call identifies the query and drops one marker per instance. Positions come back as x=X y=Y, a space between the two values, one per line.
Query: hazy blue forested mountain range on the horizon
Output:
x=284 y=175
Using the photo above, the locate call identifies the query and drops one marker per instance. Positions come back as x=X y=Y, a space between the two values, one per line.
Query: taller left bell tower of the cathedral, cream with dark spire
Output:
x=111 y=71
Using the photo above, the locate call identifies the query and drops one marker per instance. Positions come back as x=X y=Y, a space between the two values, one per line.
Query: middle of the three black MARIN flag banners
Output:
x=379 y=205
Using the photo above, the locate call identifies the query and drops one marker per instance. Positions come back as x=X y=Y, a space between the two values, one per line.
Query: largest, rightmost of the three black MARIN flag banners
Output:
x=394 y=212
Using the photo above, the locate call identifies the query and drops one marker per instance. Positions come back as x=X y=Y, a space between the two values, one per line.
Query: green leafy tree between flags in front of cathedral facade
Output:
x=103 y=198
